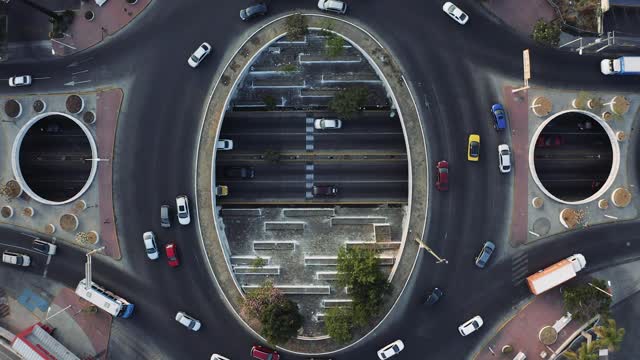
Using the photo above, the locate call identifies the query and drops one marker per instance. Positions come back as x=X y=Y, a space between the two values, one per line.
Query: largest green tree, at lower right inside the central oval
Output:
x=359 y=270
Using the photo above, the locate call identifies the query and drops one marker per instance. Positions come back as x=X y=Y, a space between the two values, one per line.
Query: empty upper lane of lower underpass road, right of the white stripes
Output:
x=378 y=171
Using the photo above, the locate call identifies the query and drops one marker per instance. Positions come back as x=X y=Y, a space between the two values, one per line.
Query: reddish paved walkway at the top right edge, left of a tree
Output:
x=521 y=14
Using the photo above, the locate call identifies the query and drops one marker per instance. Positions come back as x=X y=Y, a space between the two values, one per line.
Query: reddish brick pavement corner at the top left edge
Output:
x=109 y=19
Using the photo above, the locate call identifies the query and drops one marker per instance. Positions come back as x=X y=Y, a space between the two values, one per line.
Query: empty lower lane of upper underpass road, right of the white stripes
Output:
x=389 y=142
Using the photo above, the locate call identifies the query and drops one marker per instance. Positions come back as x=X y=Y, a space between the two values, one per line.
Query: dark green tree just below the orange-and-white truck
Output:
x=585 y=301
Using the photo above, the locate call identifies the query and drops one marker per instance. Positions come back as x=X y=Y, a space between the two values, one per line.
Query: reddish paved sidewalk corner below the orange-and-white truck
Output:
x=521 y=331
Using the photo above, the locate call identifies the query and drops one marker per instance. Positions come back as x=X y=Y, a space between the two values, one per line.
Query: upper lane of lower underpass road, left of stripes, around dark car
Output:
x=264 y=171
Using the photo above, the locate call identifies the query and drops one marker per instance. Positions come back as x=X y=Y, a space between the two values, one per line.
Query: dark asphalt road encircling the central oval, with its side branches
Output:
x=446 y=64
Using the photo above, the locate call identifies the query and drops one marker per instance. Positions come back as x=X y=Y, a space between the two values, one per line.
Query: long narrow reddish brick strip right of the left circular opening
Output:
x=107 y=111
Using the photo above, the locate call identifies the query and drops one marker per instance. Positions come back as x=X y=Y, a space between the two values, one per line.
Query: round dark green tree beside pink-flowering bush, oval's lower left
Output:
x=280 y=321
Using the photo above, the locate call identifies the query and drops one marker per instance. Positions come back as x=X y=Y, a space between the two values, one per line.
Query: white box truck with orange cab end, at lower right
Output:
x=556 y=274
